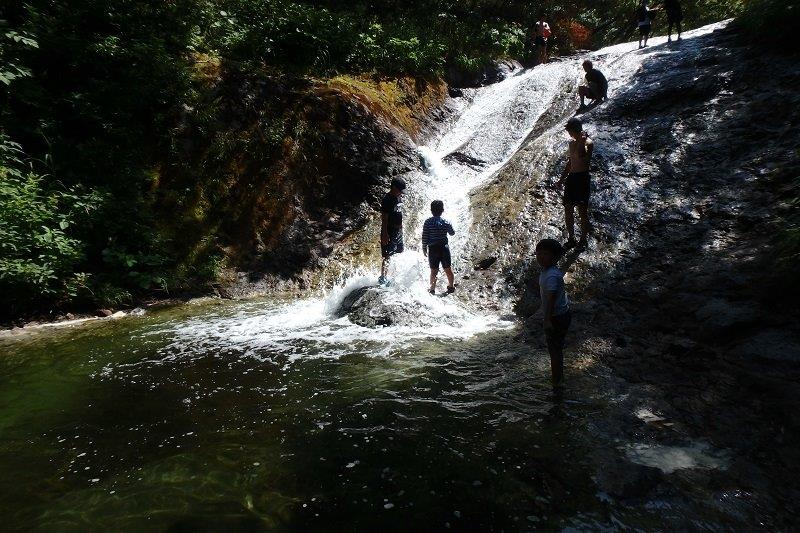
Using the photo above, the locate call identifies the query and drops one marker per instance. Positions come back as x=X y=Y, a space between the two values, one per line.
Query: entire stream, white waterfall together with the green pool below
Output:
x=270 y=414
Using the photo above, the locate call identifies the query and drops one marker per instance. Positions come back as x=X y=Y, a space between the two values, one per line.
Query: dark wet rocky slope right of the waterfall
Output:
x=680 y=293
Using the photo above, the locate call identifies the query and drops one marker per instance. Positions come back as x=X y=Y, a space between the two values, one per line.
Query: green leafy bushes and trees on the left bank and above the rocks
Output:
x=92 y=93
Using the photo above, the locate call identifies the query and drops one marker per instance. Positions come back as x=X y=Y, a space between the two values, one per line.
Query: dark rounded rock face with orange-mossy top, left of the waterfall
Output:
x=274 y=172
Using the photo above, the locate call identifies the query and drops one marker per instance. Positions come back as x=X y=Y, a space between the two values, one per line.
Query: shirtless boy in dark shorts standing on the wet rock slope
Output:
x=575 y=179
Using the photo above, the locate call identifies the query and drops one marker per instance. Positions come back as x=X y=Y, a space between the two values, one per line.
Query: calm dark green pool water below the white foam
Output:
x=110 y=426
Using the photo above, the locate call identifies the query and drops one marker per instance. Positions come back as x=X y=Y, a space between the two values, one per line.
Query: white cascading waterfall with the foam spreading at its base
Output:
x=490 y=128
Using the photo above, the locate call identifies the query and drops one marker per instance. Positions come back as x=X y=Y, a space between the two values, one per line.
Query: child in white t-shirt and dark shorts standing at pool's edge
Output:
x=555 y=305
